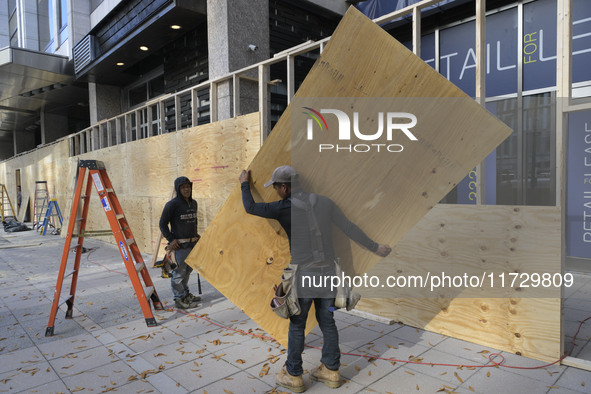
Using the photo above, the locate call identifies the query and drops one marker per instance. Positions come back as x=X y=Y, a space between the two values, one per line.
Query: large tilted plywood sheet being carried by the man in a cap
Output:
x=242 y=256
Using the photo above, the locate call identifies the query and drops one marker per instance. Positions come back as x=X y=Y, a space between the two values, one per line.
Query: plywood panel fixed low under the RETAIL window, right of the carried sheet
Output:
x=497 y=241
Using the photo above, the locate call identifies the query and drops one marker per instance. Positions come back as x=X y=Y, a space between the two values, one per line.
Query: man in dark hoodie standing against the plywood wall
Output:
x=181 y=213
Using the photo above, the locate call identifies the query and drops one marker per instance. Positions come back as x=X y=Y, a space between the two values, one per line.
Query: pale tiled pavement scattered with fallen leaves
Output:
x=108 y=347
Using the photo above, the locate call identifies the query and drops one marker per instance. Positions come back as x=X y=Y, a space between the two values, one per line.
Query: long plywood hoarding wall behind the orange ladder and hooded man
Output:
x=143 y=172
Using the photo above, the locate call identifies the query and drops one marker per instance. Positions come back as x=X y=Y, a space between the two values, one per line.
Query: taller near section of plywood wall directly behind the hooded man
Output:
x=143 y=172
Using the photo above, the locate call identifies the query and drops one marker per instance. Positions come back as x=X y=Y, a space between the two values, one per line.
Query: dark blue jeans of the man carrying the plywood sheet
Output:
x=331 y=353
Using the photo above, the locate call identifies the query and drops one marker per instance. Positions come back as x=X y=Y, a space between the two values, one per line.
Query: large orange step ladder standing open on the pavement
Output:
x=128 y=248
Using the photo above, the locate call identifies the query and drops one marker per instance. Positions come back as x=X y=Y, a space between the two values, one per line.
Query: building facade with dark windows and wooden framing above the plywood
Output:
x=109 y=72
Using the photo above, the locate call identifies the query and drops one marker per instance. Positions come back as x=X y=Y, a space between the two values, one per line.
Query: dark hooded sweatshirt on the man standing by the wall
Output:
x=181 y=215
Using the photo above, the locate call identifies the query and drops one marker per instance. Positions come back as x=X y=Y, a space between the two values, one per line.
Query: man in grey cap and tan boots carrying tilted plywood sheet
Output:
x=308 y=219
